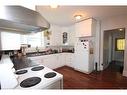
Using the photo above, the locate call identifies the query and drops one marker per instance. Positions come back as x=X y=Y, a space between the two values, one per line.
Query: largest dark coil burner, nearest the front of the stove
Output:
x=29 y=82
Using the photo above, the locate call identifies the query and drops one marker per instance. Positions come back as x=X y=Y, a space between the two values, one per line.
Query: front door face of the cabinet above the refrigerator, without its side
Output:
x=84 y=28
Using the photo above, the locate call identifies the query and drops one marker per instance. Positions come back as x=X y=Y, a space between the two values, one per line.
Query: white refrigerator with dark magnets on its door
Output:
x=84 y=55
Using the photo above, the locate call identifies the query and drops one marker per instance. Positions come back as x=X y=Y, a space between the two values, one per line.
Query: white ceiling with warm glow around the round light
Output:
x=64 y=15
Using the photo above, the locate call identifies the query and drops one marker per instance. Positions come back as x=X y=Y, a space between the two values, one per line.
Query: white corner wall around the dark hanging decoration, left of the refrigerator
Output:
x=56 y=35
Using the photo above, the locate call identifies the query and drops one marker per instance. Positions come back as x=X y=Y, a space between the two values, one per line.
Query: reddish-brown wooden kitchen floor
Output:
x=110 y=78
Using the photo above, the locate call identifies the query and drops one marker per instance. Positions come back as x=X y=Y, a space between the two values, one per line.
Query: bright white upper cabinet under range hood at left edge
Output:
x=9 y=41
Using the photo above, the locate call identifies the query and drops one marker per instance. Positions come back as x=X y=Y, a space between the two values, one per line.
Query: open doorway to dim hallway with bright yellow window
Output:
x=113 y=49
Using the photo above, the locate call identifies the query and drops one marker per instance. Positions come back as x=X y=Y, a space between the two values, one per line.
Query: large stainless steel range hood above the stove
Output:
x=21 y=19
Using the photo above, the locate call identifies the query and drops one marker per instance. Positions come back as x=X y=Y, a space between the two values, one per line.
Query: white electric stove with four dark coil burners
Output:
x=38 y=77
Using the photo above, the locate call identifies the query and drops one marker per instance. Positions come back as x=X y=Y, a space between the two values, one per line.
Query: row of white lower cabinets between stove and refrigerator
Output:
x=54 y=60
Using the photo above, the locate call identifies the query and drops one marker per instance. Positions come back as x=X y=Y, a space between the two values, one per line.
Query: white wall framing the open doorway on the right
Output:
x=113 y=23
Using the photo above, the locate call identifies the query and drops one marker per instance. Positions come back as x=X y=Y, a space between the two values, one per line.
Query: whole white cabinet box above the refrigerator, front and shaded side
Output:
x=85 y=28
